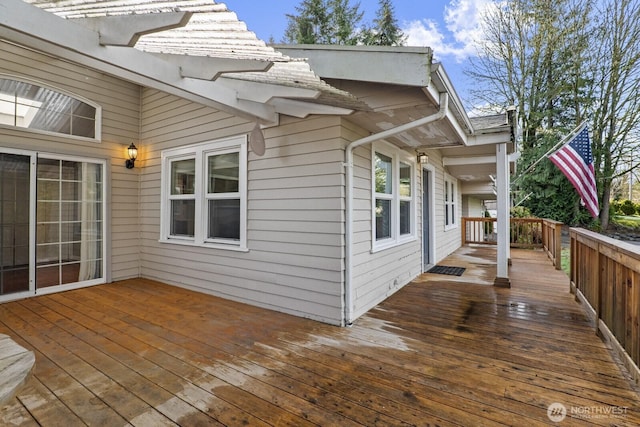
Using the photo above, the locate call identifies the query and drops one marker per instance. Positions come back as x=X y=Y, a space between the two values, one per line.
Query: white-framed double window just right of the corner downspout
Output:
x=393 y=196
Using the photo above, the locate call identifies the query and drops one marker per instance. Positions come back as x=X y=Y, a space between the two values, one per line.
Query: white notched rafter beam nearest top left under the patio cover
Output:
x=125 y=30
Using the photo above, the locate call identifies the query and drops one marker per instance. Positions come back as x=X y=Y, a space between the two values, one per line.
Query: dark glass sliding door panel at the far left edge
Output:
x=14 y=223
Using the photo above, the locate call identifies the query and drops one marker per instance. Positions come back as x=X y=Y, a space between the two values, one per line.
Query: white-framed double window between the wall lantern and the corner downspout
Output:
x=204 y=194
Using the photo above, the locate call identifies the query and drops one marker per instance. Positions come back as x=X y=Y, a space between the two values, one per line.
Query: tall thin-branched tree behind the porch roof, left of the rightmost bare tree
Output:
x=529 y=59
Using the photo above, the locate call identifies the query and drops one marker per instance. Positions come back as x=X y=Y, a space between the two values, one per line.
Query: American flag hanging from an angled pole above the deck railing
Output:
x=575 y=161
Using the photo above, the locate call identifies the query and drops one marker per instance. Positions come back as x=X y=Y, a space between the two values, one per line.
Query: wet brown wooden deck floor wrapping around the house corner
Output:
x=442 y=351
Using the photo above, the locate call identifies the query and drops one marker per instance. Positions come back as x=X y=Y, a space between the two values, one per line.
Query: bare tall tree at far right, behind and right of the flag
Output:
x=615 y=116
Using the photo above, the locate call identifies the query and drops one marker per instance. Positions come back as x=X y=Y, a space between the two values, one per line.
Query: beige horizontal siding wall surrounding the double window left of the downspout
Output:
x=295 y=214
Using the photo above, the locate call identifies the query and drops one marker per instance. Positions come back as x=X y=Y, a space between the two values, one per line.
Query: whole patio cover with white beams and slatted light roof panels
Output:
x=40 y=28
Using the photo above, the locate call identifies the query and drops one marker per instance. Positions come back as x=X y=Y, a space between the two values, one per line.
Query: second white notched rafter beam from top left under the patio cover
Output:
x=208 y=68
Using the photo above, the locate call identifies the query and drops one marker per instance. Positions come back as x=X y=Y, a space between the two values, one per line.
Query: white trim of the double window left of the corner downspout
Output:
x=199 y=152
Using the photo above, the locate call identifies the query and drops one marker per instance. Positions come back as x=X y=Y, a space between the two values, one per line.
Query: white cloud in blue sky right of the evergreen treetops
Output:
x=461 y=32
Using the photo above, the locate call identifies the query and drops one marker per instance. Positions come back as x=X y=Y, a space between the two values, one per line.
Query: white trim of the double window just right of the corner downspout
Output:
x=397 y=155
